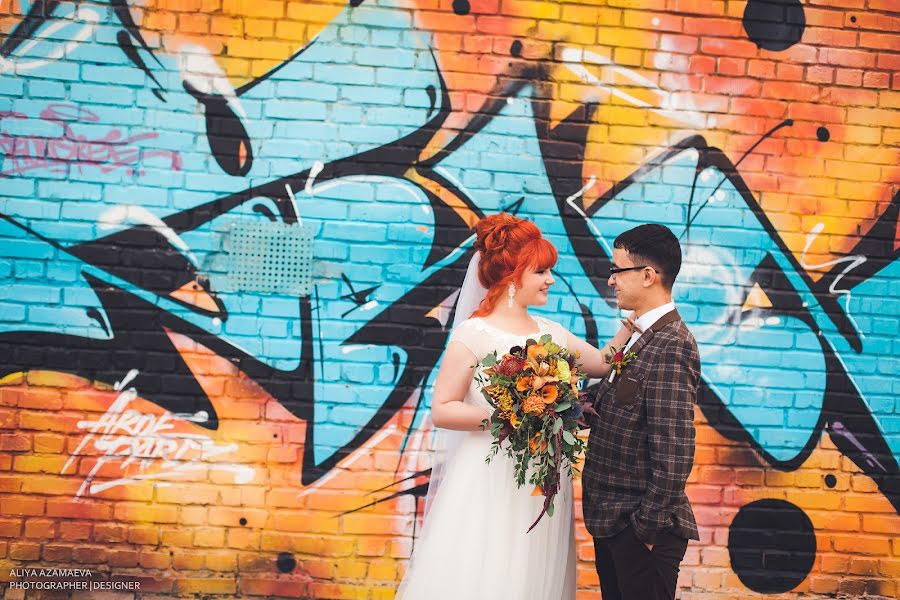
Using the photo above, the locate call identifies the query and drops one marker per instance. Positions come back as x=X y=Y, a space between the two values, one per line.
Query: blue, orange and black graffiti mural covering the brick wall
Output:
x=232 y=239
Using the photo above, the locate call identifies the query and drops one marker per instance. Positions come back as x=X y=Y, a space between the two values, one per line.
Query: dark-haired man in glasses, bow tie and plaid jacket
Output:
x=641 y=447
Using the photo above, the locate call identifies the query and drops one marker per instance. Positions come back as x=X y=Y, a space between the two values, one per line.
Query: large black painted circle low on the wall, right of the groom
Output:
x=772 y=545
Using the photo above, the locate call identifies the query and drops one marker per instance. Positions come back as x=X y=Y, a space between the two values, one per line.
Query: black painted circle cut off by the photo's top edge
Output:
x=774 y=24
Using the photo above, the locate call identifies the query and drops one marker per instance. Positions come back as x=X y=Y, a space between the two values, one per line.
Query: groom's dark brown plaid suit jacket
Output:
x=641 y=447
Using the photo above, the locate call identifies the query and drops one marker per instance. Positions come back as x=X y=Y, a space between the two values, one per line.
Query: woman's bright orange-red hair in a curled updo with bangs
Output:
x=509 y=247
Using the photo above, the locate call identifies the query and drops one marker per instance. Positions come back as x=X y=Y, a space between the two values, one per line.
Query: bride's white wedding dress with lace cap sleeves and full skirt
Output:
x=473 y=543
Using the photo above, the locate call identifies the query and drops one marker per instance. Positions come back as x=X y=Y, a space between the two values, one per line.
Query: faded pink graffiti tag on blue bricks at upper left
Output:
x=112 y=151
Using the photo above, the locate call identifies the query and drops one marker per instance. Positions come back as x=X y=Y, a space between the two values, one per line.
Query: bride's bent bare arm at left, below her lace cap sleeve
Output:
x=447 y=408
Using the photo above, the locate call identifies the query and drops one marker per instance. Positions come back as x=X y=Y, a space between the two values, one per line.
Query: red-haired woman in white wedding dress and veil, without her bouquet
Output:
x=474 y=544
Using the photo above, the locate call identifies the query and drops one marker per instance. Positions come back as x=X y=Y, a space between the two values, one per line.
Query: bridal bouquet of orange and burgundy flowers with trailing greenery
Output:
x=538 y=410
